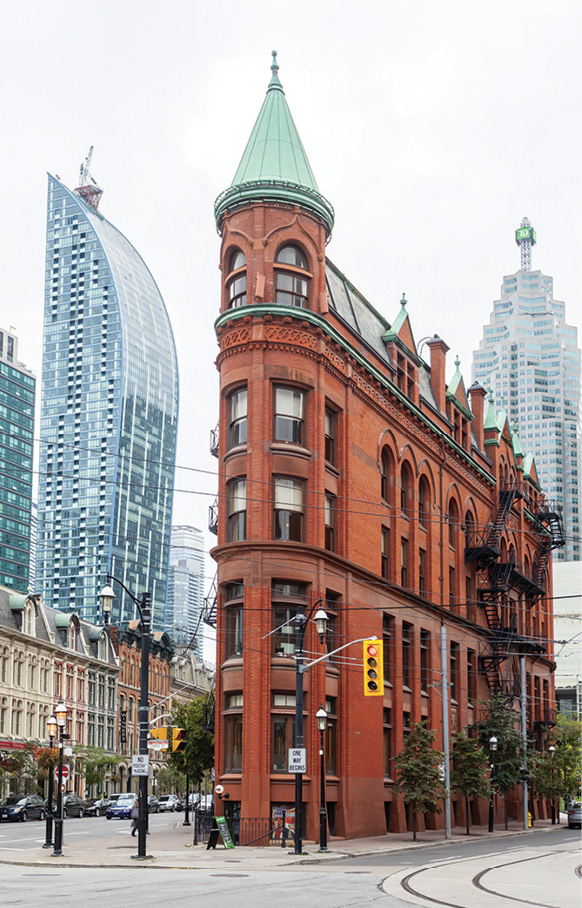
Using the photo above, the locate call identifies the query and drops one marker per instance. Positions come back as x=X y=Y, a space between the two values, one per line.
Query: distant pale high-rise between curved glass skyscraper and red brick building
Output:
x=186 y=587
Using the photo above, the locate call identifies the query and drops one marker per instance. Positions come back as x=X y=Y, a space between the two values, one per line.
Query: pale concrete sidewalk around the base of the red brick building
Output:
x=173 y=849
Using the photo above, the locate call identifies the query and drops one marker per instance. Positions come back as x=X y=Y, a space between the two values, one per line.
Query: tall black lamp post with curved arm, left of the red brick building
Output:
x=144 y=608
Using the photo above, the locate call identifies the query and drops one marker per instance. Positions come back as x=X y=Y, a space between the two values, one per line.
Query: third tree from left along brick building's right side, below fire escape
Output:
x=501 y=722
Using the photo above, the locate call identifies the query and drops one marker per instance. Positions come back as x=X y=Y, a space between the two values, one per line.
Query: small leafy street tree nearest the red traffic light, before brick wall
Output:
x=418 y=772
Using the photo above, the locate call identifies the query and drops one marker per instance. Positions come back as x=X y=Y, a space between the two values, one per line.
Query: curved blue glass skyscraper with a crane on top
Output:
x=109 y=413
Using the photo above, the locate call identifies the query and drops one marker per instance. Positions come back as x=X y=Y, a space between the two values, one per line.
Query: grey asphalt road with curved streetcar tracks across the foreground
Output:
x=521 y=870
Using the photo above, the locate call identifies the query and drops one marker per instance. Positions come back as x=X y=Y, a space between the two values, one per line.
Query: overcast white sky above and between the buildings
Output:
x=432 y=126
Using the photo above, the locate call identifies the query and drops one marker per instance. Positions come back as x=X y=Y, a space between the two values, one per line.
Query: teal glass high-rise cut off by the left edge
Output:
x=17 y=393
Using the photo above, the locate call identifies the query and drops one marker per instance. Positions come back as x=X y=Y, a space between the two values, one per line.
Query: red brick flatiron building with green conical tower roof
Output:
x=353 y=478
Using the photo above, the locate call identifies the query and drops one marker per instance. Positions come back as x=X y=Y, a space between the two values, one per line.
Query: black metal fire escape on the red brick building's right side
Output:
x=495 y=578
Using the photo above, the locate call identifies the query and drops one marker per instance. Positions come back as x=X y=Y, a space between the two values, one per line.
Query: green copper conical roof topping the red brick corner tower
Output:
x=274 y=166
